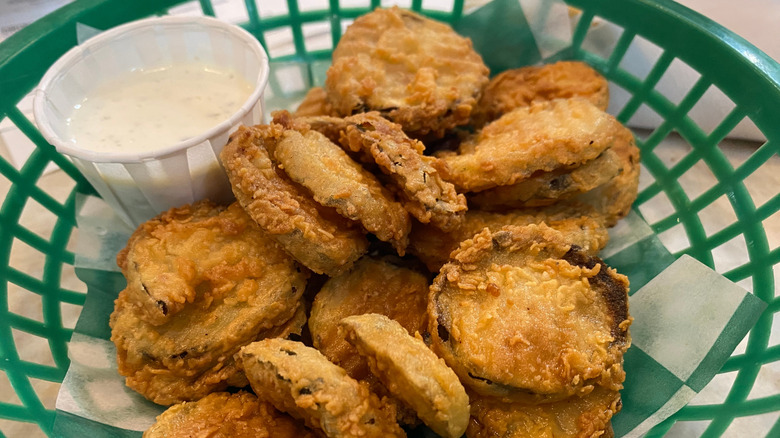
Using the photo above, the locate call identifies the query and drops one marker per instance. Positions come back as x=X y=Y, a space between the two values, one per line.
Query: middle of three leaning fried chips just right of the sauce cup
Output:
x=336 y=180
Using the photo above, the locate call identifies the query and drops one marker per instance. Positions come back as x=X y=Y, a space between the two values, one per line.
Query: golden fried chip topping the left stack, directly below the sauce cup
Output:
x=186 y=252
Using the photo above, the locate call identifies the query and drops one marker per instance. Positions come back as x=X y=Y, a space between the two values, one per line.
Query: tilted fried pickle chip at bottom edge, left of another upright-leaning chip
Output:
x=301 y=381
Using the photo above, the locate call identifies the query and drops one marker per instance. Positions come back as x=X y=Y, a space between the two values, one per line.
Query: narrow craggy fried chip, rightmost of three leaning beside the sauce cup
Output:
x=427 y=196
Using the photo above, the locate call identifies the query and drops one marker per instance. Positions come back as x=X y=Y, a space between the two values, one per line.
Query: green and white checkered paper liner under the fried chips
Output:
x=688 y=319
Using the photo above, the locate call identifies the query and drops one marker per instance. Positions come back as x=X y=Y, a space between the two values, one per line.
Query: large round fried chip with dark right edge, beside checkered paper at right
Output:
x=522 y=314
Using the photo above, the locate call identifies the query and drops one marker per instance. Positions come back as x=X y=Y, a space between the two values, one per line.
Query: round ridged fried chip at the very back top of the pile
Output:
x=417 y=72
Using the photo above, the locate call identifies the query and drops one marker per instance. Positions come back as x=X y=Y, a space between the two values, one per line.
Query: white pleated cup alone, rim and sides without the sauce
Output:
x=139 y=185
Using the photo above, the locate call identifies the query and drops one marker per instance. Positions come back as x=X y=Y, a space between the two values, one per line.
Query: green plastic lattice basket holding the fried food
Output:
x=724 y=61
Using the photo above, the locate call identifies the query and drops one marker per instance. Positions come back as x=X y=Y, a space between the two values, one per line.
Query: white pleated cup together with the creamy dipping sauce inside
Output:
x=144 y=109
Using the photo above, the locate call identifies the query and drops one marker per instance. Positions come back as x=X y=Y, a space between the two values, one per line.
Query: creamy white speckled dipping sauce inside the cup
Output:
x=144 y=110
